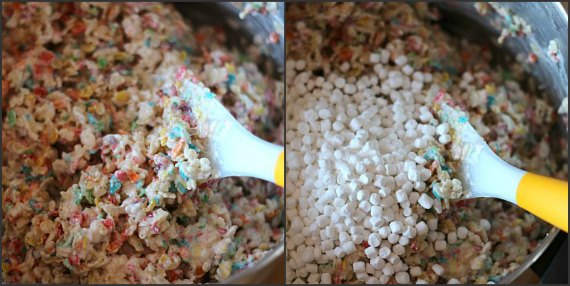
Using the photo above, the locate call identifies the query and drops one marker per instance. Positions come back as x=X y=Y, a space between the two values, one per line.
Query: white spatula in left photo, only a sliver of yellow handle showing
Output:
x=233 y=151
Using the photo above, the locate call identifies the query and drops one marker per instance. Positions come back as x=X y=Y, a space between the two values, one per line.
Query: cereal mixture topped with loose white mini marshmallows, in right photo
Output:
x=371 y=184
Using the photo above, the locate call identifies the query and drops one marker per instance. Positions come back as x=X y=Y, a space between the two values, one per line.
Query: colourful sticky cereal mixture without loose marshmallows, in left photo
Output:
x=104 y=177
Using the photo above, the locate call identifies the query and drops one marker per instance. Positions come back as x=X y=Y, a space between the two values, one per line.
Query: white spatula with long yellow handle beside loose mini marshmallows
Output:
x=484 y=174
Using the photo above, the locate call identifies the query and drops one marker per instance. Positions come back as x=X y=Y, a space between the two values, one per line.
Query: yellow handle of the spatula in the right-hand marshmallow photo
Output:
x=544 y=197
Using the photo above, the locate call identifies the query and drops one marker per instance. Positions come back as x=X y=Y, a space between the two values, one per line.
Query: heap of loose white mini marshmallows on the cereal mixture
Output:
x=355 y=172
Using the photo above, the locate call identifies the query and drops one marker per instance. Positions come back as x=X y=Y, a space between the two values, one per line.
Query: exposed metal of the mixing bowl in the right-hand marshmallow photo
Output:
x=549 y=21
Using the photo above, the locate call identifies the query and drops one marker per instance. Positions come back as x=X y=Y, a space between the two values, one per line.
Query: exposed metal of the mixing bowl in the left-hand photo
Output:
x=240 y=33
